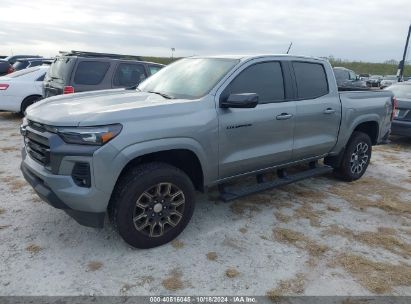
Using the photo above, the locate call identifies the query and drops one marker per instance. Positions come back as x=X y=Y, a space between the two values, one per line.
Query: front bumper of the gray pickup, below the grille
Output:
x=86 y=205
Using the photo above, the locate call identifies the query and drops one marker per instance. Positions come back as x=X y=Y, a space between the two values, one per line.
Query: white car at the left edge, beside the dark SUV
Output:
x=20 y=89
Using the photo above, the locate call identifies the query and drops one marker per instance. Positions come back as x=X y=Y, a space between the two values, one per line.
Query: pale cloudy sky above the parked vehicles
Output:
x=366 y=30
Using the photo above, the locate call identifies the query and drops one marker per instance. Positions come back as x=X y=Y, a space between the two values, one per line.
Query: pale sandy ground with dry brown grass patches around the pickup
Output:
x=317 y=237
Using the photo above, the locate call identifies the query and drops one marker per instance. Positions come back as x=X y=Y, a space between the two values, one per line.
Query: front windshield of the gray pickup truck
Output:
x=188 y=78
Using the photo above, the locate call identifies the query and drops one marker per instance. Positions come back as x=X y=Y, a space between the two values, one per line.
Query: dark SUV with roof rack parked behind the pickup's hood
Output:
x=84 y=71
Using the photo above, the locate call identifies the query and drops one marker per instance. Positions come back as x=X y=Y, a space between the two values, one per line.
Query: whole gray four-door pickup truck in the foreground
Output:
x=139 y=154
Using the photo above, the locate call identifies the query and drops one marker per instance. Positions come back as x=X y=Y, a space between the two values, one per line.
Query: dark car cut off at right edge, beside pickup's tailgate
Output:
x=401 y=124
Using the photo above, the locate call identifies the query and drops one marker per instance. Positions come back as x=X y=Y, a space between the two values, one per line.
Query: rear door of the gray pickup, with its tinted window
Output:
x=318 y=113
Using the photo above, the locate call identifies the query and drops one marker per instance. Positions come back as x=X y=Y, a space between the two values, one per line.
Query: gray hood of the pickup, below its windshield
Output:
x=98 y=107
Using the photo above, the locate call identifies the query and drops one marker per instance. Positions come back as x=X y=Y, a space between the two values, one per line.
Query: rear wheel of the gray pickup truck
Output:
x=356 y=158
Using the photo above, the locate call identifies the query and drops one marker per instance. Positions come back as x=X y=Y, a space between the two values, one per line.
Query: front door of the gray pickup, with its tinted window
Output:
x=261 y=137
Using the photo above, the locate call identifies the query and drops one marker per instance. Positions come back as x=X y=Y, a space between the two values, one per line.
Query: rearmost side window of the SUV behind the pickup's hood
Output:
x=90 y=72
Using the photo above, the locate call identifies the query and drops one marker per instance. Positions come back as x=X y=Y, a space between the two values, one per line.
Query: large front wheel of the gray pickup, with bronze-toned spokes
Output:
x=152 y=204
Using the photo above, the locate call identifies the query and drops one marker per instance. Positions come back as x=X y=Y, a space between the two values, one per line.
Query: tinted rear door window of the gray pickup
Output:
x=311 y=80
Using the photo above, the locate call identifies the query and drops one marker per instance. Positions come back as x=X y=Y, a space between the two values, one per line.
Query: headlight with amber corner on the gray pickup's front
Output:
x=89 y=135
